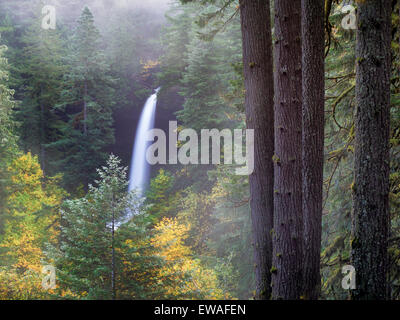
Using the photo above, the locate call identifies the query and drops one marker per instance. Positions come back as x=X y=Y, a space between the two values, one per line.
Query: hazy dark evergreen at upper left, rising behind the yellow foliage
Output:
x=41 y=69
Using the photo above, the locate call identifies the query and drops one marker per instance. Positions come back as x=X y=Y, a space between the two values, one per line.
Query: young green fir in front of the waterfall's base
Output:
x=97 y=260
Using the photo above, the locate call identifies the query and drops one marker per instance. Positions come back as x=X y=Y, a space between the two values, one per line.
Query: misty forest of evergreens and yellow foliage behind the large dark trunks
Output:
x=64 y=171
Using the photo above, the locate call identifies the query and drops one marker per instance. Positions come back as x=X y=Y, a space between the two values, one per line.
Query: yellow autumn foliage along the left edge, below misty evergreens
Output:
x=26 y=229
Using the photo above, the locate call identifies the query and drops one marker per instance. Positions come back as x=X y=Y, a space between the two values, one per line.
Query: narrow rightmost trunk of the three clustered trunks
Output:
x=313 y=37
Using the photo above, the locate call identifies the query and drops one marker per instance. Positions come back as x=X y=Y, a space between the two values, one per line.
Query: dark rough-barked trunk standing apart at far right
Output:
x=371 y=172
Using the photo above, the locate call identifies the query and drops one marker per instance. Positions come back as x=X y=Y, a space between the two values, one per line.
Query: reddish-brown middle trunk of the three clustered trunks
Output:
x=288 y=222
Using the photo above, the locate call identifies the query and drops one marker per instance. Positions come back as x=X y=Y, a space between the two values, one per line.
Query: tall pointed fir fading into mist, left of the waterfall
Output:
x=87 y=100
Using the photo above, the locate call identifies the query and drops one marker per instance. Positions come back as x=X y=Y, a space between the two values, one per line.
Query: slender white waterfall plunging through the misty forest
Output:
x=140 y=169
